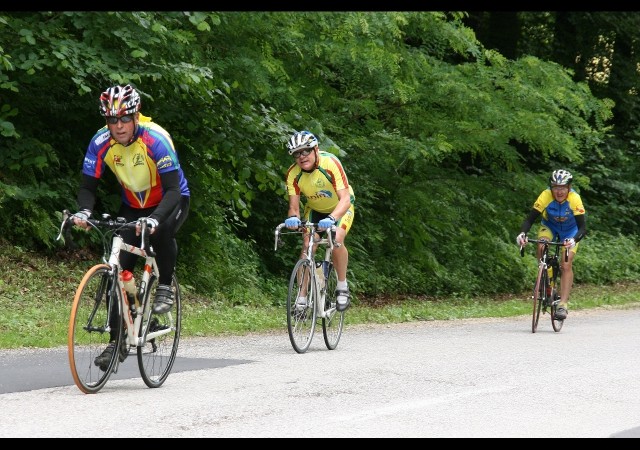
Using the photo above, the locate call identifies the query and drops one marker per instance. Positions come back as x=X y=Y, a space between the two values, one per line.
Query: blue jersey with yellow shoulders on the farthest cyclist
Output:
x=559 y=217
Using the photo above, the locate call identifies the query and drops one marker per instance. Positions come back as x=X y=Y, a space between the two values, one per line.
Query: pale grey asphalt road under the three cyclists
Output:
x=457 y=379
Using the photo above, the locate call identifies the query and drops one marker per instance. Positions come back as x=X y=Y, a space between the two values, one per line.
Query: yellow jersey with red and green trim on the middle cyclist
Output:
x=320 y=187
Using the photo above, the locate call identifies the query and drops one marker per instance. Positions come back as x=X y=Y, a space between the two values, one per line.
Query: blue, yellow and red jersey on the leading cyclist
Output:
x=138 y=165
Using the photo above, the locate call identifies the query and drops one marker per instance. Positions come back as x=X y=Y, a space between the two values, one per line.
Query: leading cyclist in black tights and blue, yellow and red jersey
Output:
x=141 y=155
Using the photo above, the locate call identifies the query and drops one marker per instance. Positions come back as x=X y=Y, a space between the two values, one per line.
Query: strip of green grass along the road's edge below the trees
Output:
x=36 y=295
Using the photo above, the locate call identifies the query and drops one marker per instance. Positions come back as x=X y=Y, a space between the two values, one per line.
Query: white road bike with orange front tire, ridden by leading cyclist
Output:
x=102 y=309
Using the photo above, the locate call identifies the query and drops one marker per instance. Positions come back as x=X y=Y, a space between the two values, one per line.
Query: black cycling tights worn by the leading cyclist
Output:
x=163 y=239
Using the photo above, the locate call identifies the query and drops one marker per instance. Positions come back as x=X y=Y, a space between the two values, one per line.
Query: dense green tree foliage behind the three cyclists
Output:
x=448 y=134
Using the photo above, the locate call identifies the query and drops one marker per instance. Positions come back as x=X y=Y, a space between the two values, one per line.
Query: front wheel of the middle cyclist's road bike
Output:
x=301 y=321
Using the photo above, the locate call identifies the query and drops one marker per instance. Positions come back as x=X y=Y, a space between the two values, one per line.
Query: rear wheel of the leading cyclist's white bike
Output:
x=157 y=355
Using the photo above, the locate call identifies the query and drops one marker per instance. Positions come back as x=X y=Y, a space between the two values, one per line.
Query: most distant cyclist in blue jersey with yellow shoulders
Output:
x=563 y=214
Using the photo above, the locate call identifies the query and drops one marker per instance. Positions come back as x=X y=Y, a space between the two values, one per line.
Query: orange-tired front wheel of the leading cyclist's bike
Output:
x=88 y=333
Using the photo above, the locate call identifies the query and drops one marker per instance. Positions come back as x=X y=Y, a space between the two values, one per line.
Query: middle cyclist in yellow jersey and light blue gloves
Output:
x=320 y=177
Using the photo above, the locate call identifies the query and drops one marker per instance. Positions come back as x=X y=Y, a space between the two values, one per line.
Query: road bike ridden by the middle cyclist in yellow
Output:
x=316 y=280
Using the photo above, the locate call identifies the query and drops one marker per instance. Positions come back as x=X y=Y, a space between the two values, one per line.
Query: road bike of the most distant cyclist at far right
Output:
x=546 y=293
